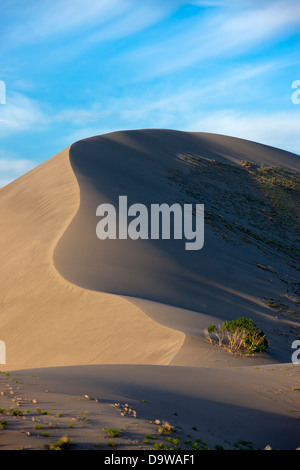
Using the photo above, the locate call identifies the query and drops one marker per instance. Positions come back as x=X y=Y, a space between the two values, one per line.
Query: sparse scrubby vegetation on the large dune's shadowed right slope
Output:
x=250 y=205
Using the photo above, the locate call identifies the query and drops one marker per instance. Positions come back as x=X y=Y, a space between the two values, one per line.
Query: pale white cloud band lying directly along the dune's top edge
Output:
x=280 y=130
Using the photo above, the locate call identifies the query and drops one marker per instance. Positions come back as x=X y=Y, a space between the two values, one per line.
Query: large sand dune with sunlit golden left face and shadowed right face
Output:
x=68 y=298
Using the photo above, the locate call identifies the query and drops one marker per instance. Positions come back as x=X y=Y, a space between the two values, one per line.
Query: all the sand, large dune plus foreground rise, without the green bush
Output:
x=124 y=321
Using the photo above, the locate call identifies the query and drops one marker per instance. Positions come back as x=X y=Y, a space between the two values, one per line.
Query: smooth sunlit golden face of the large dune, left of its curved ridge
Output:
x=45 y=320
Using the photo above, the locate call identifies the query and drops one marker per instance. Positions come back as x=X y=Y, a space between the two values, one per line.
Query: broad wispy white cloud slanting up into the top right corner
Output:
x=222 y=34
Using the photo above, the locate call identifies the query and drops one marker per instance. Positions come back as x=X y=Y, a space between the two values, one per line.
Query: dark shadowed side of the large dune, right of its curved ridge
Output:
x=152 y=167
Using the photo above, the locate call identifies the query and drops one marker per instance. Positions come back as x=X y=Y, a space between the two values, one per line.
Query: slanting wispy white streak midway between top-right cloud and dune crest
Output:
x=240 y=84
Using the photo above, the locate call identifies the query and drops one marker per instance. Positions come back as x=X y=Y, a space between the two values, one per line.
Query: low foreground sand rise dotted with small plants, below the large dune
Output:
x=206 y=408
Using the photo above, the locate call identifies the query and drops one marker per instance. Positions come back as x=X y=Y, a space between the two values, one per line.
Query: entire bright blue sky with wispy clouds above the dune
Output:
x=75 y=68
